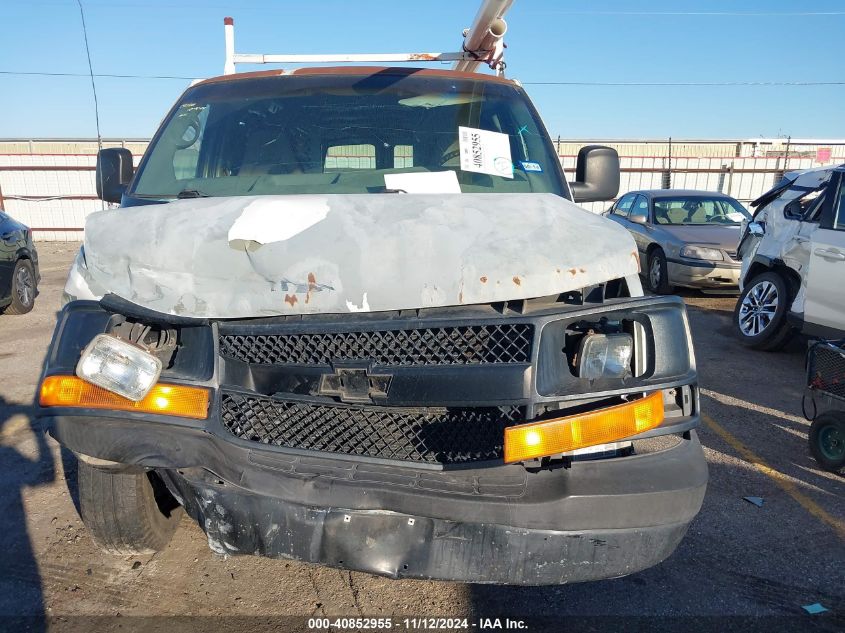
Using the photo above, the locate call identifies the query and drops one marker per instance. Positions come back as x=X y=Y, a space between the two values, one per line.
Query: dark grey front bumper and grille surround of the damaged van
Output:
x=450 y=509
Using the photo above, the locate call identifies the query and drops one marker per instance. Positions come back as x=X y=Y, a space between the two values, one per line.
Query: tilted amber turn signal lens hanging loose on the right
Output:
x=562 y=435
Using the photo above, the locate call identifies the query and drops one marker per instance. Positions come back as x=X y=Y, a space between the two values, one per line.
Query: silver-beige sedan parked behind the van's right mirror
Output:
x=685 y=238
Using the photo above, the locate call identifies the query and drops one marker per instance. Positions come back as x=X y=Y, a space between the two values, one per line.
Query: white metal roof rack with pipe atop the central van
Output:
x=483 y=44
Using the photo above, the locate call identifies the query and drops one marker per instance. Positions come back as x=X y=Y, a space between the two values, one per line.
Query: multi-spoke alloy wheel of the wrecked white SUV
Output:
x=760 y=314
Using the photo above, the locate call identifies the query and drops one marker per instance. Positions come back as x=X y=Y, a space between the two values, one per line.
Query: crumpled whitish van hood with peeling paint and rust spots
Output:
x=277 y=255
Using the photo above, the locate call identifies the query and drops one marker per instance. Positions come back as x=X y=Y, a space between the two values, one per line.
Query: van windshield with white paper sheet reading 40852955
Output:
x=321 y=134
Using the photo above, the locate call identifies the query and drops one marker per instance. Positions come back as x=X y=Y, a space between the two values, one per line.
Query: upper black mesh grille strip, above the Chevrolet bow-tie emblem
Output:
x=456 y=345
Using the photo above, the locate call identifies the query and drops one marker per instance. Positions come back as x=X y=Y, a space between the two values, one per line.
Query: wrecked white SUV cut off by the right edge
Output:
x=793 y=259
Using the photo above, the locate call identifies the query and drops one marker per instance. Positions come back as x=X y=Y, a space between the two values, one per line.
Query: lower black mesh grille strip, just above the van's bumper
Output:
x=444 y=436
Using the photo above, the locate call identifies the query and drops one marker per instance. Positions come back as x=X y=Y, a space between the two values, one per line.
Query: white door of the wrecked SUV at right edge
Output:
x=824 y=304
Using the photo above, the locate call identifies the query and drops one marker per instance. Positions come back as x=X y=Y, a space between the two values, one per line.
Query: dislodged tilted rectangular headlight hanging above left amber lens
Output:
x=119 y=367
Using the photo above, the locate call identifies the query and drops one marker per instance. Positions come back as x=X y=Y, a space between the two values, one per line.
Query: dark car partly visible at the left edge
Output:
x=18 y=267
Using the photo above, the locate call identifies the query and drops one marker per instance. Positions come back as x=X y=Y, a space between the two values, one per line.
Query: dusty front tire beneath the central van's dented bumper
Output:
x=126 y=513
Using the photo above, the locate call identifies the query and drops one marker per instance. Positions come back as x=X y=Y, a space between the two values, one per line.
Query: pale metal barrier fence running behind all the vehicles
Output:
x=49 y=184
